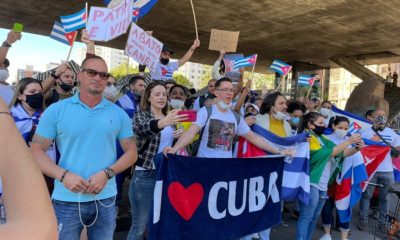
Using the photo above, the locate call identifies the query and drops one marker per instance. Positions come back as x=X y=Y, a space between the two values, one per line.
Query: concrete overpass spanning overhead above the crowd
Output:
x=310 y=34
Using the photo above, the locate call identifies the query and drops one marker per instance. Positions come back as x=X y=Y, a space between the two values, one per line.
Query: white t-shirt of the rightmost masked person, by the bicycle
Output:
x=391 y=137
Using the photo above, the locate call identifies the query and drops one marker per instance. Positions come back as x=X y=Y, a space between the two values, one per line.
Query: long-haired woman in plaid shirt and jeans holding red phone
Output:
x=155 y=130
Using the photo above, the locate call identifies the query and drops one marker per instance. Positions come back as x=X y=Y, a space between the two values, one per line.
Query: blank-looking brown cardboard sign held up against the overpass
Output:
x=221 y=39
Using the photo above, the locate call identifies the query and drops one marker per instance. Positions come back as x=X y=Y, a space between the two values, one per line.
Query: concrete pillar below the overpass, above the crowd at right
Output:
x=367 y=95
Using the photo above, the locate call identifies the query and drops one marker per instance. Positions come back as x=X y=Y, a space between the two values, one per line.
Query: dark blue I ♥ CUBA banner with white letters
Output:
x=196 y=198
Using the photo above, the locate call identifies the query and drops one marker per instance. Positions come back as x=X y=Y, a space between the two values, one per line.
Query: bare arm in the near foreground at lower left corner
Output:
x=30 y=214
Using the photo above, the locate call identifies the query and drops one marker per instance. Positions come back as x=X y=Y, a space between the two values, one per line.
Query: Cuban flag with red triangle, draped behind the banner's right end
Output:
x=296 y=173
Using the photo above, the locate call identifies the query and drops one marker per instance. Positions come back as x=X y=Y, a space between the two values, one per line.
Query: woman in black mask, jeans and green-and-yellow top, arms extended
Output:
x=322 y=150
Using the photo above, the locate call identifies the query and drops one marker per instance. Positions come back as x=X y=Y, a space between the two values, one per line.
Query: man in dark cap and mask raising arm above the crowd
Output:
x=165 y=69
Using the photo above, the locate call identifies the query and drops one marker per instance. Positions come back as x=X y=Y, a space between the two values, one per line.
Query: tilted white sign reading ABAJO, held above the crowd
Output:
x=143 y=48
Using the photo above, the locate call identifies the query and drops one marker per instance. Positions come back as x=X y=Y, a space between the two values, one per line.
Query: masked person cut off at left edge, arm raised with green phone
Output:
x=6 y=90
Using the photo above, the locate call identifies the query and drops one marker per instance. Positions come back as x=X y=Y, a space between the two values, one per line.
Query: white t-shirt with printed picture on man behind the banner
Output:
x=219 y=132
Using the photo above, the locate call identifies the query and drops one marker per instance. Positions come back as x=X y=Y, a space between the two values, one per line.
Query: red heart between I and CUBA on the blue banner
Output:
x=185 y=200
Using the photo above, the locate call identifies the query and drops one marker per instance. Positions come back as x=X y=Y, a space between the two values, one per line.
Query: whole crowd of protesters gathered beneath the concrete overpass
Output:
x=87 y=138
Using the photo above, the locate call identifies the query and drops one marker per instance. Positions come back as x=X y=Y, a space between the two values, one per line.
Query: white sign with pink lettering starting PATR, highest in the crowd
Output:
x=105 y=24
